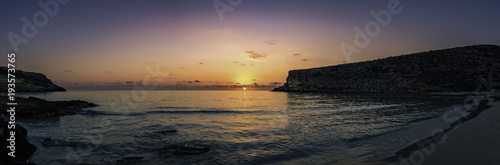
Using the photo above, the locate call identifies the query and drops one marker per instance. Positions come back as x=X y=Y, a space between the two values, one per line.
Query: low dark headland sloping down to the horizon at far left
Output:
x=28 y=82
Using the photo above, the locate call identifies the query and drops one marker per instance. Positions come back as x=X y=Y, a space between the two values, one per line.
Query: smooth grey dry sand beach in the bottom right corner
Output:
x=476 y=141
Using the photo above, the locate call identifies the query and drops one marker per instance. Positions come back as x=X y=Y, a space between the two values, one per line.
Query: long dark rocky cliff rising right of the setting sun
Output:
x=448 y=70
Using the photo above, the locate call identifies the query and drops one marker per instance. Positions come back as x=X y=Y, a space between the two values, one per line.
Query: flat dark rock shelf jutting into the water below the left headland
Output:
x=35 y=108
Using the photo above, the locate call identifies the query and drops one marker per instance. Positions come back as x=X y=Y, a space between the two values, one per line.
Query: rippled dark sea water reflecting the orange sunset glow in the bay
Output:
x=238 y=127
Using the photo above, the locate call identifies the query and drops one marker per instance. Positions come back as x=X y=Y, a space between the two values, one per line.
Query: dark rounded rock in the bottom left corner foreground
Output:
x=23 y=150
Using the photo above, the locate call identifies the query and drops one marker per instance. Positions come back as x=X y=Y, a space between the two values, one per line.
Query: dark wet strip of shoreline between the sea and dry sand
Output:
x=418 y=151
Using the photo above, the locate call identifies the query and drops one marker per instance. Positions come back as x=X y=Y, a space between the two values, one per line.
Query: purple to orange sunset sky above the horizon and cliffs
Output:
x=111 y=44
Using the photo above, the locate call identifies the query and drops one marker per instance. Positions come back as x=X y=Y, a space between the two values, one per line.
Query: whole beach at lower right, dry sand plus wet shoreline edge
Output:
x=457 y=144
